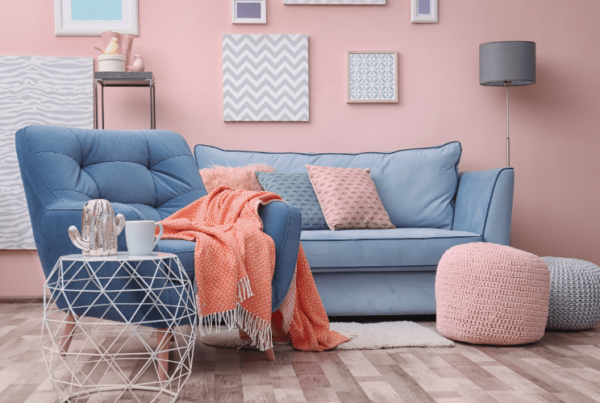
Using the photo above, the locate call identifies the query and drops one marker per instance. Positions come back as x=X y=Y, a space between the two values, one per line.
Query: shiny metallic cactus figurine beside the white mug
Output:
x=99 y=229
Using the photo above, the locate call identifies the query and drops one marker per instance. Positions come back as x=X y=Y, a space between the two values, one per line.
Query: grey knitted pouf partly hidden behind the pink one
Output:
x=574 y=294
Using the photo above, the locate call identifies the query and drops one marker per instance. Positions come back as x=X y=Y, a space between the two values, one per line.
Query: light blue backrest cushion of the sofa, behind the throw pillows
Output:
x=416 y=186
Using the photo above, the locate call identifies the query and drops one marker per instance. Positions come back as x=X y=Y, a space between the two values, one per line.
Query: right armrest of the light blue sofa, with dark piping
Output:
x=484 y=203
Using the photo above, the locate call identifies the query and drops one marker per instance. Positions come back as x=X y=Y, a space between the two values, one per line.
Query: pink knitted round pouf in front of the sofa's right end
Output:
x=492 y=294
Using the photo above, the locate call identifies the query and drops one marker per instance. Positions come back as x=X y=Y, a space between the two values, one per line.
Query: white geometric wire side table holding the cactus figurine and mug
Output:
x=120 y=326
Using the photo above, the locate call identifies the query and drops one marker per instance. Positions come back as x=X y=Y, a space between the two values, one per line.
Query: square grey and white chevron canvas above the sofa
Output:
x=265 y=78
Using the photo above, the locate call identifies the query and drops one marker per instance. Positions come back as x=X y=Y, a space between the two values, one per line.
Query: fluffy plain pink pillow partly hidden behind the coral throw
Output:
x=233 y=177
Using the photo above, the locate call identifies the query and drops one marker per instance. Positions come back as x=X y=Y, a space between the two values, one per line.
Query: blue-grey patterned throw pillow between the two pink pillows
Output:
x=296 y=190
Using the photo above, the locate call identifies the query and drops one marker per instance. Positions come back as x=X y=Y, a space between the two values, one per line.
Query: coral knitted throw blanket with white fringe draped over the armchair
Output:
x=234 y=264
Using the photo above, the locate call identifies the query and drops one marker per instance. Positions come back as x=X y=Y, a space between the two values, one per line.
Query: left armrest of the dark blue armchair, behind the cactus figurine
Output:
x=56 y=222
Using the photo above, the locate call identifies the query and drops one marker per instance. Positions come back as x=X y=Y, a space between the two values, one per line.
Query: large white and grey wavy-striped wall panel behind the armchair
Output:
x=54 y=91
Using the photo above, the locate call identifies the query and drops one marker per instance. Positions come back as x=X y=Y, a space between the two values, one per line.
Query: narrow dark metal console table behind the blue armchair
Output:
x=124 y=79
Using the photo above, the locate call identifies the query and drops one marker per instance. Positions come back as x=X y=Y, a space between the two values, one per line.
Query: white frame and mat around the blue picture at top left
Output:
x=64 y=25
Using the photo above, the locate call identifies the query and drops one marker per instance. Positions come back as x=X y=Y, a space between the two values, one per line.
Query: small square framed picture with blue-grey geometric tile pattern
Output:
x=372 y=77
